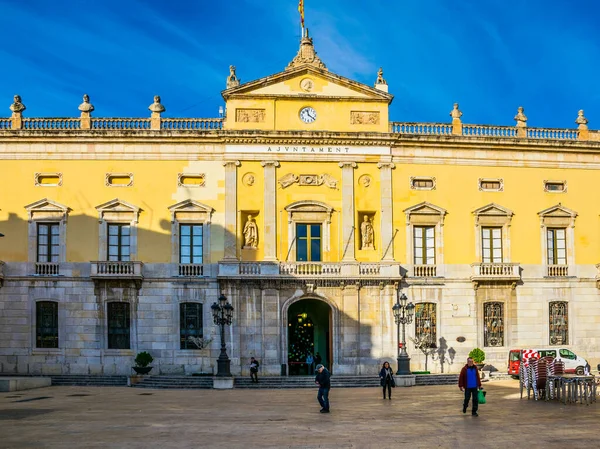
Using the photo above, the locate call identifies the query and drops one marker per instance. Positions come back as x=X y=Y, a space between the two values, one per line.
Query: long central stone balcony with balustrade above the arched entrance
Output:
x=331 y=270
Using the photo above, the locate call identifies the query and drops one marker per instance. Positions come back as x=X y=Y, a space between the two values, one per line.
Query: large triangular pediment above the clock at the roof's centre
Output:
x=307 y=82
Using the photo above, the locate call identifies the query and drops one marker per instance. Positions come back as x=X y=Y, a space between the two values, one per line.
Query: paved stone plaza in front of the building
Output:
x=423 y=417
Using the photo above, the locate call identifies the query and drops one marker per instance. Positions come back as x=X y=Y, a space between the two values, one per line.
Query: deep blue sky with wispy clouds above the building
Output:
x=491 y=56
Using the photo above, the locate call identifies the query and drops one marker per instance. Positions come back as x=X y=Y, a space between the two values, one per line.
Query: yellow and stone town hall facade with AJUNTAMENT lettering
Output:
x=312 y=213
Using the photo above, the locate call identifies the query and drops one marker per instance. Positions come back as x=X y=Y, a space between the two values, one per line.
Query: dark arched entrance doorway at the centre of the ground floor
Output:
x=309 y=331
